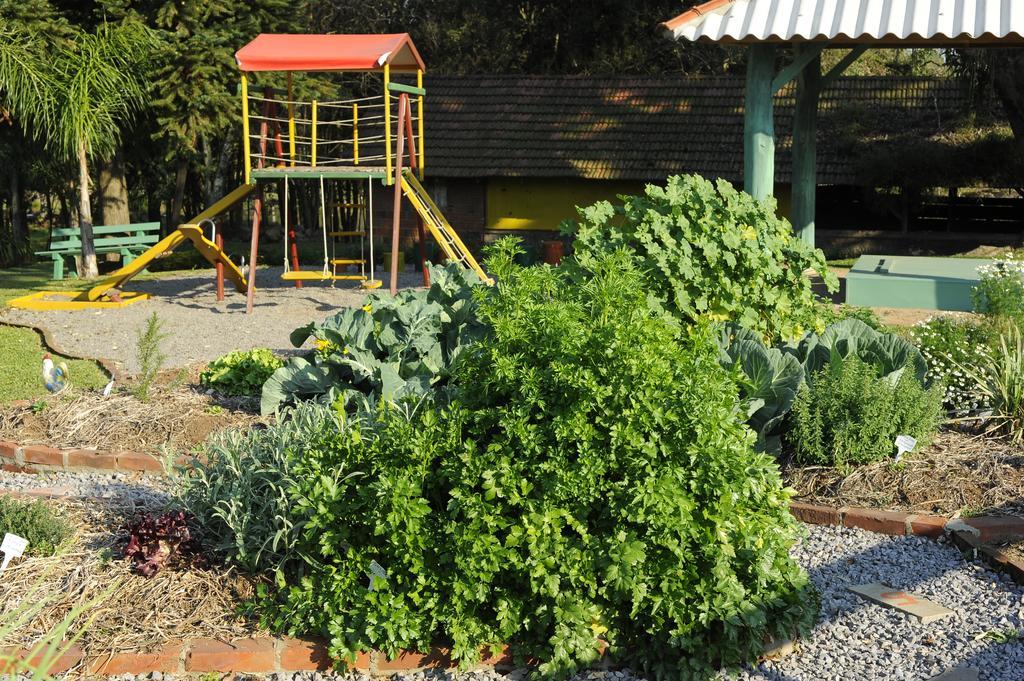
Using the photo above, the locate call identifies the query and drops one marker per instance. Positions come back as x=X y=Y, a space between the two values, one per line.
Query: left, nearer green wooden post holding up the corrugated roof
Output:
x=759 y=124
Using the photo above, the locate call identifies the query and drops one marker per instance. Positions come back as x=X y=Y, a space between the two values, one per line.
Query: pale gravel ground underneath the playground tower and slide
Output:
x=201 y=329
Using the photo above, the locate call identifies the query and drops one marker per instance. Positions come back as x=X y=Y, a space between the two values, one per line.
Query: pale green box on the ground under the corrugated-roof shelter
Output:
x=901 y=281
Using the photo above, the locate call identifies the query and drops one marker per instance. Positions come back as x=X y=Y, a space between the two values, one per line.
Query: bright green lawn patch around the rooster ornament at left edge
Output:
x=22 y=366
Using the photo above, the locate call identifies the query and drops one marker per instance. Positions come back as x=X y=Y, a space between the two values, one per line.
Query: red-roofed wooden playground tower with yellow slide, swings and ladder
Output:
x=337 y=151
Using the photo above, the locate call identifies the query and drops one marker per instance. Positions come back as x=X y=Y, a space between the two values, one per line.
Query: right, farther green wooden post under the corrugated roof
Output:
x=805 y=131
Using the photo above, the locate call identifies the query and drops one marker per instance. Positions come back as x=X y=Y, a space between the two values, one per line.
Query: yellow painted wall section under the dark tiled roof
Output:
x=542 y=204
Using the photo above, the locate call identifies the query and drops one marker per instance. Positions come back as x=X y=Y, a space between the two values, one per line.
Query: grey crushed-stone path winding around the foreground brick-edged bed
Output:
x=855 y=640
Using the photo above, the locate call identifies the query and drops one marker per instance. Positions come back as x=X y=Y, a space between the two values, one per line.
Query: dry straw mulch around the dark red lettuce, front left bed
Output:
x=131 y=613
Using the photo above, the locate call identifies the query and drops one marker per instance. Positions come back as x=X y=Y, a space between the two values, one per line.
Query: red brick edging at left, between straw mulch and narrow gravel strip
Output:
x=40 y=459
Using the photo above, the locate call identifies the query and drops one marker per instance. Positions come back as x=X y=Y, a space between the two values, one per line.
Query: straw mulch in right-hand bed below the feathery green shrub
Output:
x=958 y=475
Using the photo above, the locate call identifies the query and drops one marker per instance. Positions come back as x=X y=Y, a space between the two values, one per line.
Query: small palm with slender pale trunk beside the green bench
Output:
x=103 y=86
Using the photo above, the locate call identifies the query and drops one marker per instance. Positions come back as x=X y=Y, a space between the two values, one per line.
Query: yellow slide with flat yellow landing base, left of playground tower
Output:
x=95 y=297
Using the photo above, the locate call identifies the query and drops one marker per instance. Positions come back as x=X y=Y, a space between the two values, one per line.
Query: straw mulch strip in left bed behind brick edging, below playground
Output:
x=175 y=417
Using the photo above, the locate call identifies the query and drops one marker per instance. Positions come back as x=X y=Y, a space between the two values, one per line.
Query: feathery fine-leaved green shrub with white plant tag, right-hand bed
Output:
x=845 y=415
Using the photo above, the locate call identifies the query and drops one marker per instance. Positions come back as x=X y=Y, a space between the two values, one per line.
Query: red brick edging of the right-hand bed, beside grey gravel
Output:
x=970 y=535
